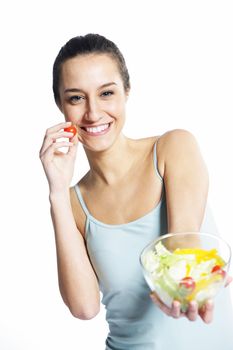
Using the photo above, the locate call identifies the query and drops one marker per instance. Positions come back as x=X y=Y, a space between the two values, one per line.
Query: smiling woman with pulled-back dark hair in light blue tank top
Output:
x=134 y=191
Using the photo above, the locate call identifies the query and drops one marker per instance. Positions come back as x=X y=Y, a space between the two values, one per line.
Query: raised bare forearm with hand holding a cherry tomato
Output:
x=77 y=281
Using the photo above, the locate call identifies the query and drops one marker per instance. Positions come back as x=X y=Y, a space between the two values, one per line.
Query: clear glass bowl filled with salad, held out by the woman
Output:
x=186 y=266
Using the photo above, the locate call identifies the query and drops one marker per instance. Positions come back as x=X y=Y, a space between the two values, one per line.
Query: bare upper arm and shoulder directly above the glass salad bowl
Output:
x=186 y=181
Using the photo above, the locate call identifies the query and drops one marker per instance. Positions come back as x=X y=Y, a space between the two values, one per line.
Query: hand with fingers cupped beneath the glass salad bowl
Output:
x=205 y=312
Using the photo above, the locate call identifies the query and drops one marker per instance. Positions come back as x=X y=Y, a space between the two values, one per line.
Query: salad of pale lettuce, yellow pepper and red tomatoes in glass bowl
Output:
x=184 y=274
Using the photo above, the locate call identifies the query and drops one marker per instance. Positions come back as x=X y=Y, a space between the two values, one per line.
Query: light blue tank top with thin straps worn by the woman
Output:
x=135 y=323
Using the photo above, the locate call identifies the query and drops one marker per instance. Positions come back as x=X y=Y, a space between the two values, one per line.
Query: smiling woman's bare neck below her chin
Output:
x=110 y=166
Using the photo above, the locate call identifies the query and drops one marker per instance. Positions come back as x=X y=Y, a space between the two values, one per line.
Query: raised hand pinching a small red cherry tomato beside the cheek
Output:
x=58 y=166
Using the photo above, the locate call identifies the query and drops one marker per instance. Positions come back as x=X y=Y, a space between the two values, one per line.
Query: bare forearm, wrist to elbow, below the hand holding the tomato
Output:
x=77 y=281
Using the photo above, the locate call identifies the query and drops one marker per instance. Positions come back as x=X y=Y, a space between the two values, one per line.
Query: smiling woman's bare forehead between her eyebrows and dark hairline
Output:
x=92 y=68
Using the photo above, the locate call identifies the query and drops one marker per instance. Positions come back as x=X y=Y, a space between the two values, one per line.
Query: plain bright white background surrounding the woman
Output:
x=179 y=55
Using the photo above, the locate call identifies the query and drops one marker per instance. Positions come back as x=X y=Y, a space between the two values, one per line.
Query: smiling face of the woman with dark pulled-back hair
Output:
x=93 y=98
